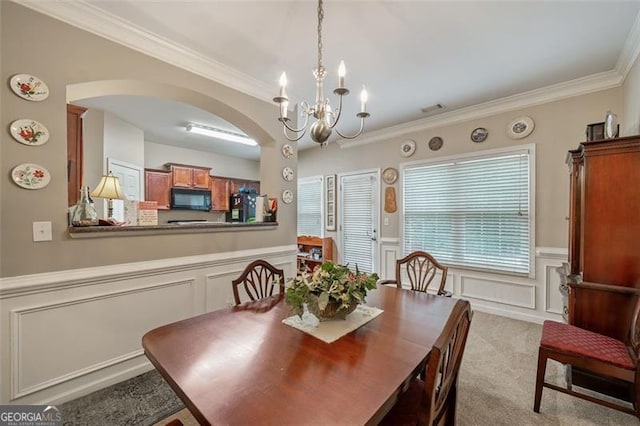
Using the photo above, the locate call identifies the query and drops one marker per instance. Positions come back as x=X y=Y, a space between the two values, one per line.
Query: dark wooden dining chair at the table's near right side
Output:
x=432 y=401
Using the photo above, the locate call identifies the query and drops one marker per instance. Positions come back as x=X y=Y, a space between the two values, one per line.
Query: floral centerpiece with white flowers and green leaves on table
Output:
x=329 y=291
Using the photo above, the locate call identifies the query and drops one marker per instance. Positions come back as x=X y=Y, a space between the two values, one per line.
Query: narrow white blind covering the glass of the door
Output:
x=357 y=221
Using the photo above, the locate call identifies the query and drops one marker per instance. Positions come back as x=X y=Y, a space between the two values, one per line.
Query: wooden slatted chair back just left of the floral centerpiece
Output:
x=259 y=279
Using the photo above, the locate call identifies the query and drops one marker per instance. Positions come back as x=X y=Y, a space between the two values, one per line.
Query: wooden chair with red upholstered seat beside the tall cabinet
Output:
x=593 y=353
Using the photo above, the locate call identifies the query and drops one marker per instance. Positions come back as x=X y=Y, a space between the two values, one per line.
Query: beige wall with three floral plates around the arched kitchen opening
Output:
x=61 y=55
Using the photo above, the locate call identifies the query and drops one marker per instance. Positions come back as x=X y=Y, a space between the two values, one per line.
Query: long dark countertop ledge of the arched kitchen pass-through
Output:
x=177 y=228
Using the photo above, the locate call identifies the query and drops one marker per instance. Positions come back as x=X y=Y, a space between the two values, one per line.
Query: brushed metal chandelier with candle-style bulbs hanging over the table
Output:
x=326 y=119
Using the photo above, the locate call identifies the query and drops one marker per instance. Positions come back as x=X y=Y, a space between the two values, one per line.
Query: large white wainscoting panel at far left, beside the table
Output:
x=110 y=326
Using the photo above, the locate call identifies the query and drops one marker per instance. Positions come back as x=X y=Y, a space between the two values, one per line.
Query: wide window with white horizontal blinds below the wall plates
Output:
x=472 y=211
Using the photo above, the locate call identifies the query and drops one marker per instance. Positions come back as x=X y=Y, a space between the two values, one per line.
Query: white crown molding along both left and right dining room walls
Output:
x=83 y=15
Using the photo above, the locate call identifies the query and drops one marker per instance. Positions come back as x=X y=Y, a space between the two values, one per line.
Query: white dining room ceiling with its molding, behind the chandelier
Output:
x=409 y=54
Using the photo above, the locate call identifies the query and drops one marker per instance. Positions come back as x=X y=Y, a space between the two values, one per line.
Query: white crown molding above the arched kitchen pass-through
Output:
x=87 y=17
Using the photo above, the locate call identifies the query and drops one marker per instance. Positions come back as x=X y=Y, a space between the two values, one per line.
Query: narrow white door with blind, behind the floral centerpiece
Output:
x=358 y=220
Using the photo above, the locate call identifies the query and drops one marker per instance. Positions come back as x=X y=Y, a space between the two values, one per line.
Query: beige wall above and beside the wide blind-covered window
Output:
x=559 y=126
